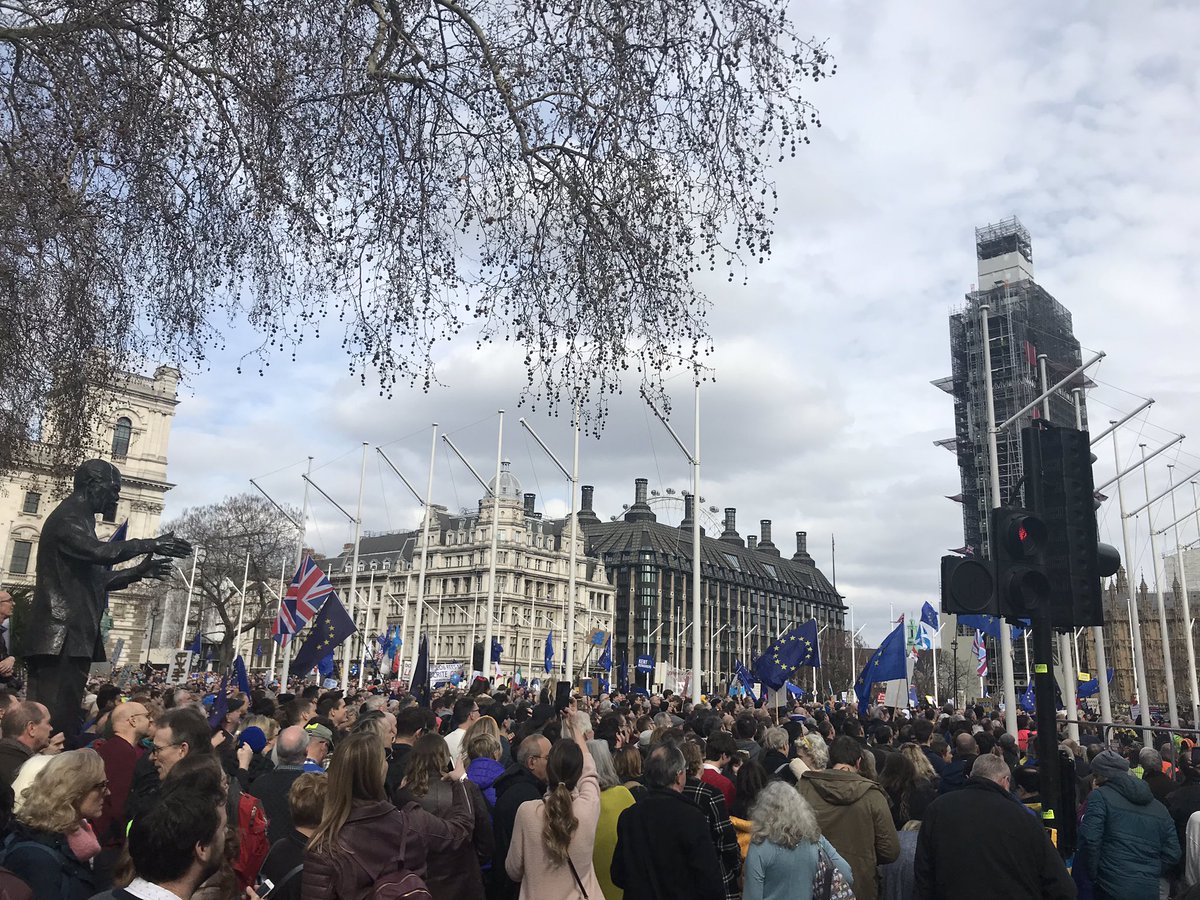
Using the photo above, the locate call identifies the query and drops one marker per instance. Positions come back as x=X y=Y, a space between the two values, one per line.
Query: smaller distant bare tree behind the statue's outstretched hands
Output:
x=230 y=533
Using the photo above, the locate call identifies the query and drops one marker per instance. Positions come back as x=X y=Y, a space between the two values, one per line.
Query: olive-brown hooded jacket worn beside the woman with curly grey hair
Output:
x=856 y=819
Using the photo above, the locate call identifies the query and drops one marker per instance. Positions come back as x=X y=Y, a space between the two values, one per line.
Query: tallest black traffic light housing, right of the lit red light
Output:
x=1059 y=477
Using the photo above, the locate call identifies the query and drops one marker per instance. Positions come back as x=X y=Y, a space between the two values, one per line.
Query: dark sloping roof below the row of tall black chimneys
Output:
x=723 y=560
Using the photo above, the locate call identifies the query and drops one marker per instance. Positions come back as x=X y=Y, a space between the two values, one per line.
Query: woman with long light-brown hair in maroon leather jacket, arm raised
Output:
x=363 y=838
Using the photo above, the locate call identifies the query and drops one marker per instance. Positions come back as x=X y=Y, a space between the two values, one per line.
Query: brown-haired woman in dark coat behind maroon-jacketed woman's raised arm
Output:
x=453 y=872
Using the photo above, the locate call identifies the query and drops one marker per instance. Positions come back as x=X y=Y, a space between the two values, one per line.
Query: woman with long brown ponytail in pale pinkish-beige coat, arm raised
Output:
x=554 y=838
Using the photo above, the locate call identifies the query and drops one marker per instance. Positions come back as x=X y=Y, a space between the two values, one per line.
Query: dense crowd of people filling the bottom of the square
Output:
x=496 y=794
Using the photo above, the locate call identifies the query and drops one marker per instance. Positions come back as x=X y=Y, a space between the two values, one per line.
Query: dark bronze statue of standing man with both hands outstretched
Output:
x=62 y=639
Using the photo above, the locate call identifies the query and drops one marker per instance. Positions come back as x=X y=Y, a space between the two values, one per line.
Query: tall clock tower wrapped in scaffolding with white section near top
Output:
x=1024 y=323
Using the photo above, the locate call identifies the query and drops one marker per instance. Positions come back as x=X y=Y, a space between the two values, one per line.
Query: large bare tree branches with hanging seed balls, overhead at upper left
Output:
x=554 y=175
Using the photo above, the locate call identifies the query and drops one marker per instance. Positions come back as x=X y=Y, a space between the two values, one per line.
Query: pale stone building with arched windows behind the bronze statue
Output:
x=134 y=434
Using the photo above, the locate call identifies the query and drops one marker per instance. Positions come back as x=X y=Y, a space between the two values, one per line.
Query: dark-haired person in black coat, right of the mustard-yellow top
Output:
x=664 y=848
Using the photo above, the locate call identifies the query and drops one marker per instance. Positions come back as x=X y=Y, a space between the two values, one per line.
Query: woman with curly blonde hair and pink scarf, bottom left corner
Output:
x=52 y=841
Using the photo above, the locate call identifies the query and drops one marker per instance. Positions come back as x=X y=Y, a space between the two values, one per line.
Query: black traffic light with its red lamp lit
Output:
x=1018 y=557
